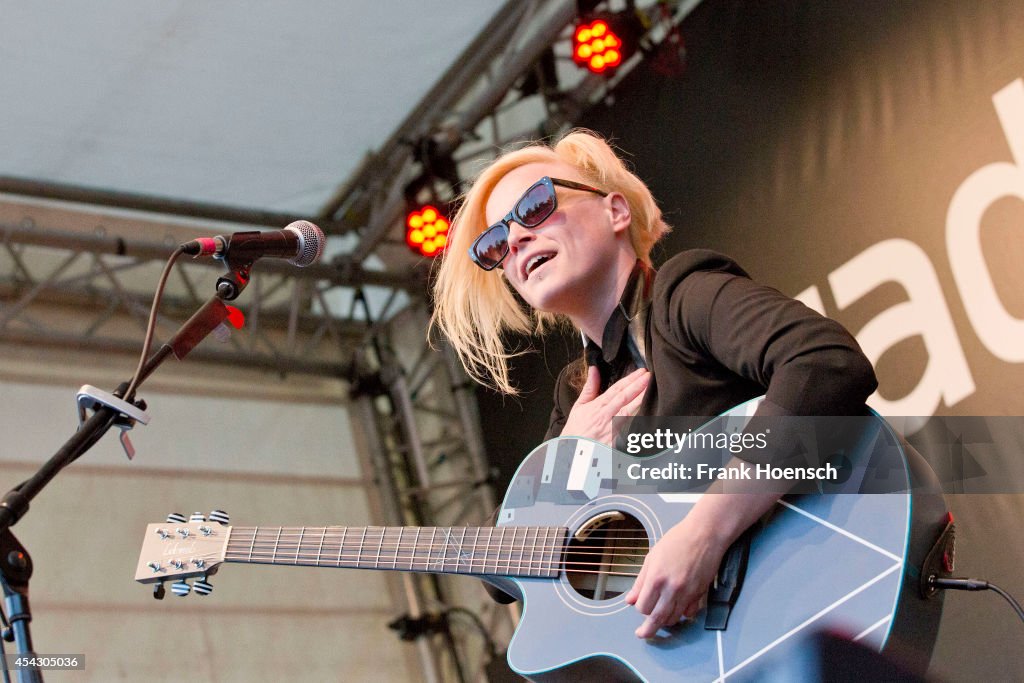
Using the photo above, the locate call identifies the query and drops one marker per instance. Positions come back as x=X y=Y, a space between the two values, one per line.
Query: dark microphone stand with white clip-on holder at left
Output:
x=16 y=565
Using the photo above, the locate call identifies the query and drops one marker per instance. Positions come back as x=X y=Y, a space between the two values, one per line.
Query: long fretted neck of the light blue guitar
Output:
x=509 y=551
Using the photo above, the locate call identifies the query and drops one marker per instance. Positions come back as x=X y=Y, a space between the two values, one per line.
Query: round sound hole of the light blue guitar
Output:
x=606 y=556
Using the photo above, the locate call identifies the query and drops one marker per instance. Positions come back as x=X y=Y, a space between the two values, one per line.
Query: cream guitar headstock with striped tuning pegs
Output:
x=178 y=550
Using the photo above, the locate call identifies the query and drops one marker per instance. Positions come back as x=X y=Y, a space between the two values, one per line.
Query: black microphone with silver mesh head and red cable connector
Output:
x=302 y=243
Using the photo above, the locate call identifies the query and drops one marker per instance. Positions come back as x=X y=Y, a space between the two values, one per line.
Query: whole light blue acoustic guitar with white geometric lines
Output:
x=574 y=530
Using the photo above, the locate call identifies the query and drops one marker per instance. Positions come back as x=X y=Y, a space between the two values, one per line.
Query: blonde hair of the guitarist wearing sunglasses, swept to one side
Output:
x=477 y=310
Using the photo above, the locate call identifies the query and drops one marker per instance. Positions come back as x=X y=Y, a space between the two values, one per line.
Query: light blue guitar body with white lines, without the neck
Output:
x=842 y=561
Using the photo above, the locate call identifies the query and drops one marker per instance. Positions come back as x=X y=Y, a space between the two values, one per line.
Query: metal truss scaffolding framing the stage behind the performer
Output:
x=349 y=319
